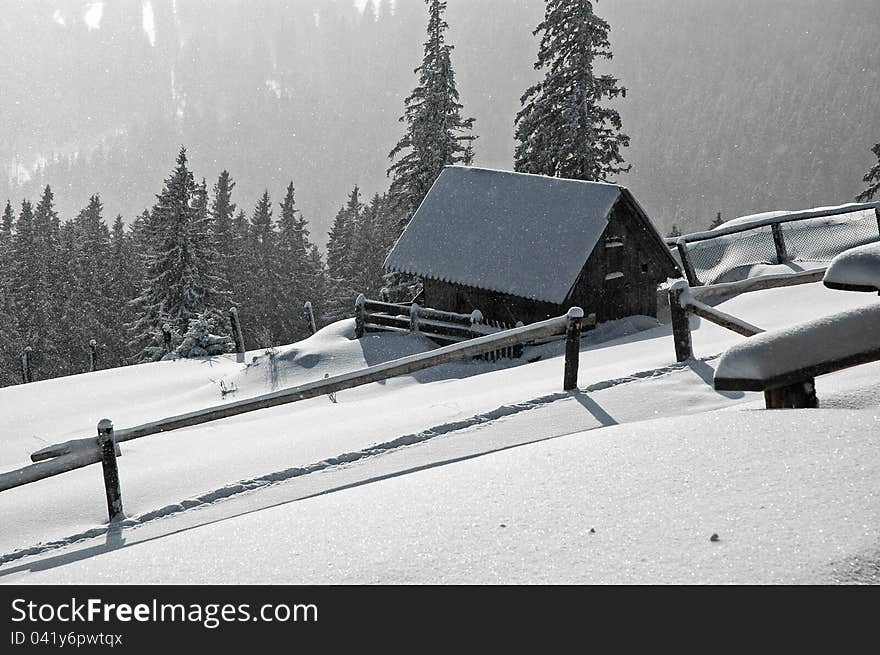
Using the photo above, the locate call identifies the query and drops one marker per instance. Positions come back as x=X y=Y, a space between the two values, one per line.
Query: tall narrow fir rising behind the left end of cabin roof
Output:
x=436 y=134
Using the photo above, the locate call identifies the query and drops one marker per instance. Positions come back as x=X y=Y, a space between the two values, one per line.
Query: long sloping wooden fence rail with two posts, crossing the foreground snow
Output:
x=77 y=453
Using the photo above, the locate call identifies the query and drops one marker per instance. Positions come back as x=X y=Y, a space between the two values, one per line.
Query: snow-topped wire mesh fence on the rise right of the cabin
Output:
x=796 y=236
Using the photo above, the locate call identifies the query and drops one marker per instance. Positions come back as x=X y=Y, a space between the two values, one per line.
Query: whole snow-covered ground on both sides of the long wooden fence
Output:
x=475 y=472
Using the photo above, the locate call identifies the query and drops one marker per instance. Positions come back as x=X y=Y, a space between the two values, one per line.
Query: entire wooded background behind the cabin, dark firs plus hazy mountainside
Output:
x=147 y=263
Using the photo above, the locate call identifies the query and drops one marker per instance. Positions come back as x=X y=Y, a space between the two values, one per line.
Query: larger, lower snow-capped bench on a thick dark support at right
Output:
x=783 y=363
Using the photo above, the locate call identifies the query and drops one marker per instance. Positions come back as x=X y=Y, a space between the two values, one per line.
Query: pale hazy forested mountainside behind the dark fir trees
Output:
x=731 y=107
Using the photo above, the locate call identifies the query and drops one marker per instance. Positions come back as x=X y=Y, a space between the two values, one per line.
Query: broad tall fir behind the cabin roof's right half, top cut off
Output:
x=563 y=130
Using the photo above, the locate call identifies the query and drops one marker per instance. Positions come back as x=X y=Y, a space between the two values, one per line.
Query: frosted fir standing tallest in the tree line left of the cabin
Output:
x=180 y=281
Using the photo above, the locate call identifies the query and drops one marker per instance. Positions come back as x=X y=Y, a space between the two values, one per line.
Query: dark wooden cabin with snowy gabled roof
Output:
x=522 y=247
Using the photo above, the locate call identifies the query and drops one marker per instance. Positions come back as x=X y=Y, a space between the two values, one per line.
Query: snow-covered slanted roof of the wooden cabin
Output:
x=515 y=233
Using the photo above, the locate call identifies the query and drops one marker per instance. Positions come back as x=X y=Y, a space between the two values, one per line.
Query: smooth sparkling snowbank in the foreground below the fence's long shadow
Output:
x=792 y=496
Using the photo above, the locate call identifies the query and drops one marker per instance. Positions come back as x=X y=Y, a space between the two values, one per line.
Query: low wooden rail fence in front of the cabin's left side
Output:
x=441 y=326
